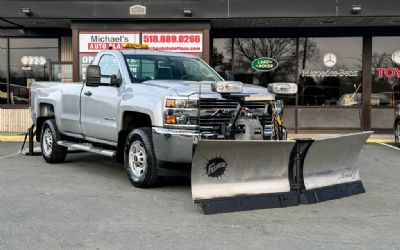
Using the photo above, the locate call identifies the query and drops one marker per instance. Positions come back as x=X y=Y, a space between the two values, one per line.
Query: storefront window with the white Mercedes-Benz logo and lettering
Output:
x=330 y=71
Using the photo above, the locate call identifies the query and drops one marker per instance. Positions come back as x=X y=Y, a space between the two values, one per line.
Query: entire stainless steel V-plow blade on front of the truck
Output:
x=232 y=175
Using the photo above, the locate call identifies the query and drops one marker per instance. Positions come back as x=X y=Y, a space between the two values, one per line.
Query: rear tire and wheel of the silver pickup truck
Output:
x=51 y=151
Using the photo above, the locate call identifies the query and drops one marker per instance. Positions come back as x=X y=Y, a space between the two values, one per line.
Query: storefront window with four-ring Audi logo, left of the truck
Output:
x=29 y=62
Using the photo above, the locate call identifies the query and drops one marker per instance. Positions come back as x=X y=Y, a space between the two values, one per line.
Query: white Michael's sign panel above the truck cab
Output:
x=97 y=41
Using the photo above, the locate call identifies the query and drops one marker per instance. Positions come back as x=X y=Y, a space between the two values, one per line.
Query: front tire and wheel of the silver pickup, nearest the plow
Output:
x=139 y=158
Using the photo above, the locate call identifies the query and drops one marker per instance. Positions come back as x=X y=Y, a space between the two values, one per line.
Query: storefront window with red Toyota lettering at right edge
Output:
x=385 y=71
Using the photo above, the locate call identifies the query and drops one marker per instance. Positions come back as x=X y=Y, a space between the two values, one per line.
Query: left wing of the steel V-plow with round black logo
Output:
x=232 y=176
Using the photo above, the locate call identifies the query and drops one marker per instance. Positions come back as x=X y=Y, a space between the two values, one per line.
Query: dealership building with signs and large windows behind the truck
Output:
x=343 y=54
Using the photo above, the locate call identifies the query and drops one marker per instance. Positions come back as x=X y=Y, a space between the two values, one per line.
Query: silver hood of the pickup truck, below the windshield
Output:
x=201 y=89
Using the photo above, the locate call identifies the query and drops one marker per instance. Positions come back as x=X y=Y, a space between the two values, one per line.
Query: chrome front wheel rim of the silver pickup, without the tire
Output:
x=137 y=159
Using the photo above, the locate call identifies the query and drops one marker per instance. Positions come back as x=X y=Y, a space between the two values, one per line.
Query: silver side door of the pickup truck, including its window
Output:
x=100 y=104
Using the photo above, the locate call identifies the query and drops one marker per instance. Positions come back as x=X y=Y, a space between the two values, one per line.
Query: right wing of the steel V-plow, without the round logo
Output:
x=329 y=170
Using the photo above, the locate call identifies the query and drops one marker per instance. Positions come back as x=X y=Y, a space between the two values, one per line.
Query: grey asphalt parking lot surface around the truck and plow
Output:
x=88 y=203
